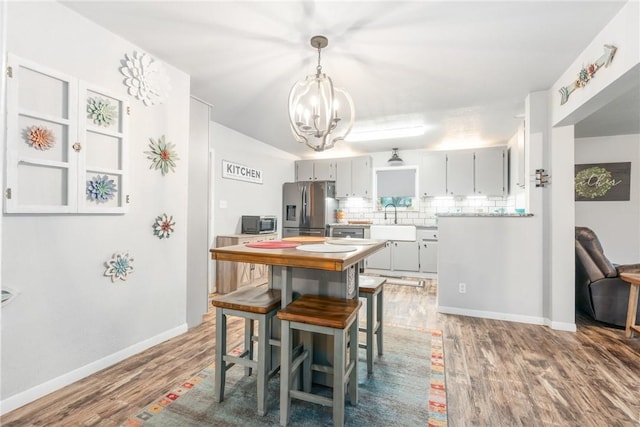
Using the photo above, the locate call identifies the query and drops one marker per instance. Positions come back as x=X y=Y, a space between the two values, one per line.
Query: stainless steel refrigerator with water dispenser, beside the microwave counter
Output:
x=308 y=208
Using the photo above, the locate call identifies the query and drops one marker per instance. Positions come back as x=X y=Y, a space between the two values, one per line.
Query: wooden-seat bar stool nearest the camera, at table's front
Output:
x=336 y=317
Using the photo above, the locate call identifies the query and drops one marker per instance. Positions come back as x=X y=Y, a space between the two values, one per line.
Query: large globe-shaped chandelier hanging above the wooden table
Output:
x=319 y=113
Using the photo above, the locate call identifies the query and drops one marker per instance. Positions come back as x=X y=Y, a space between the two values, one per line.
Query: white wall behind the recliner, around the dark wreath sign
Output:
x=617 y=224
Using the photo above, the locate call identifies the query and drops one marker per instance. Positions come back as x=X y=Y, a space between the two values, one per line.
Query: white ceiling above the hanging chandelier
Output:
x=461 y=68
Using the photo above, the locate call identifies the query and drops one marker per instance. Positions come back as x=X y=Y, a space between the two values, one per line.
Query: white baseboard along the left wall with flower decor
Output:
x=34 y=393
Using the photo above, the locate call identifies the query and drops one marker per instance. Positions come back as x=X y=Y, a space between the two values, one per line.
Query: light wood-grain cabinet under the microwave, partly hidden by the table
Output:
x=233 y=275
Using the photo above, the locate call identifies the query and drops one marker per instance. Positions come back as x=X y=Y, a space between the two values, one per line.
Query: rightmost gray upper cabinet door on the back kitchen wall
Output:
x=490 y=171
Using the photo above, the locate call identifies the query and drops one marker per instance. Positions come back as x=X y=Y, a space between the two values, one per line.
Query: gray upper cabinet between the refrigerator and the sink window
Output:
x=353 y=177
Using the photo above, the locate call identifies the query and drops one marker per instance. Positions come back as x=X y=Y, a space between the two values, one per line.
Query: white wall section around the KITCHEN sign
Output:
x=246 y=198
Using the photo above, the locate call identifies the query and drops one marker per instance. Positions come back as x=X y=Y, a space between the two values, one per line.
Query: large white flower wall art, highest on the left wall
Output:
x=145 y=78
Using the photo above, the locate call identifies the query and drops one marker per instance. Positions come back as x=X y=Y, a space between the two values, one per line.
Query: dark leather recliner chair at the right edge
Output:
x=599 y=290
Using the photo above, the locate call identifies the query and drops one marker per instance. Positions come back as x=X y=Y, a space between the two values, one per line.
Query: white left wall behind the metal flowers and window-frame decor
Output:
x=69 y=320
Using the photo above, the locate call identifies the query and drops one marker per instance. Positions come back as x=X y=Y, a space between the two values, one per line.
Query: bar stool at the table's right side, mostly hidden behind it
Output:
x=372 y=288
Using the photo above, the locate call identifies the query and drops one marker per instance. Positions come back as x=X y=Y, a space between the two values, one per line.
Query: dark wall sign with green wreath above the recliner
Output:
x=605 y=182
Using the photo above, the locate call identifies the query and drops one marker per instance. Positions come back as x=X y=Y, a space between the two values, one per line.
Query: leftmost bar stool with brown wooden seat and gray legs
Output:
x=250 y=303
